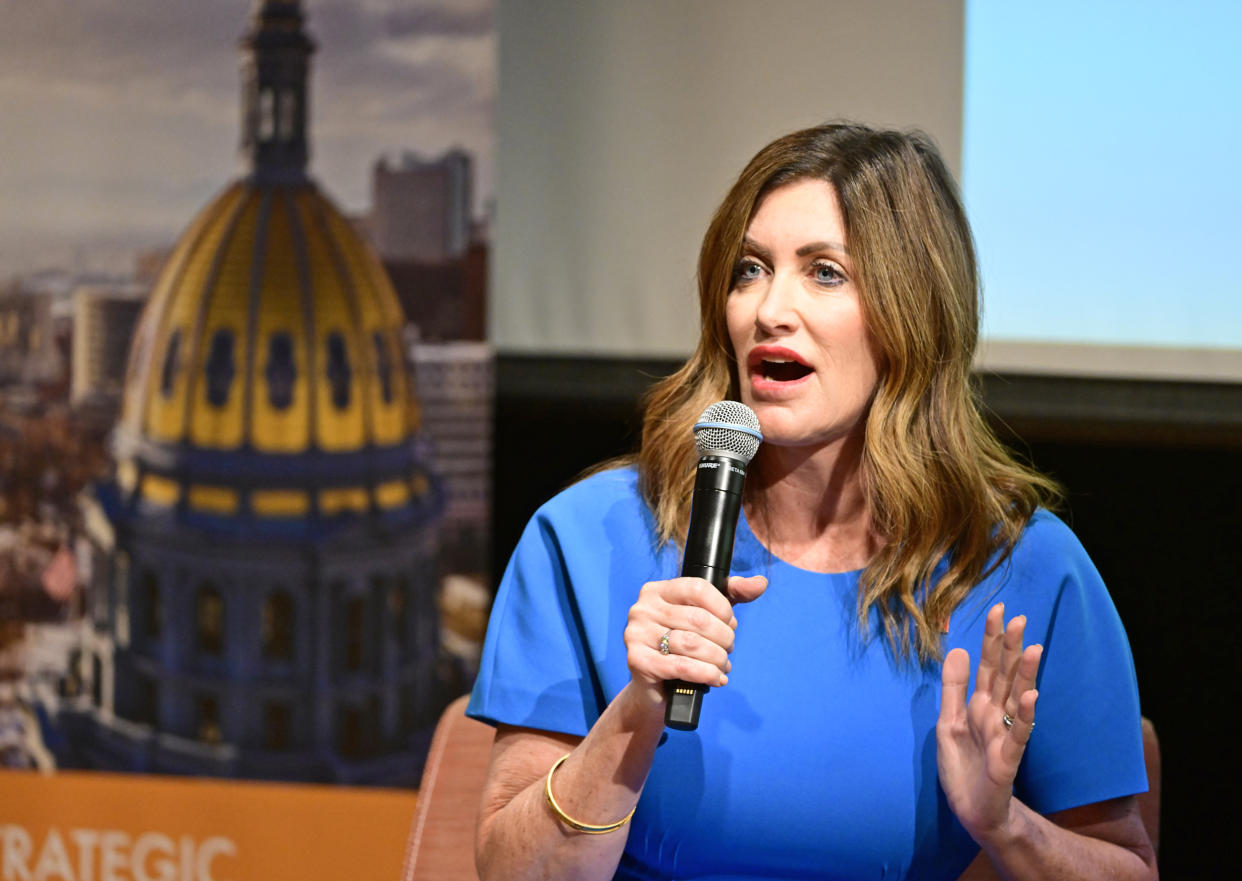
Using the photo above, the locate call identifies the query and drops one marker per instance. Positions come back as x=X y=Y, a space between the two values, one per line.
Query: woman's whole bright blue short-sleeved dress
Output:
x=818 y=761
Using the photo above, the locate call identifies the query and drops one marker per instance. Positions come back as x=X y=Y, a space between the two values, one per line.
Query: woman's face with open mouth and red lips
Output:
x=807 y=363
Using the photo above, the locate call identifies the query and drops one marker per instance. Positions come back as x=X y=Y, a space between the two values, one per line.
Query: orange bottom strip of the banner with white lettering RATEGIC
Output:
x=93 y=827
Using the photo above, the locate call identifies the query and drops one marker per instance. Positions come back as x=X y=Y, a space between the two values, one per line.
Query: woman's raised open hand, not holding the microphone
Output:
x=978 y=751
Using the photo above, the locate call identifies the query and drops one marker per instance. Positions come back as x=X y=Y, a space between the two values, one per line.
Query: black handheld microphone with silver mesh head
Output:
x=727 y=437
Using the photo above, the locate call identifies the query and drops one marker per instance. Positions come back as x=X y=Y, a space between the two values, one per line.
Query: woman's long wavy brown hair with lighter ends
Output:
x=940 y=485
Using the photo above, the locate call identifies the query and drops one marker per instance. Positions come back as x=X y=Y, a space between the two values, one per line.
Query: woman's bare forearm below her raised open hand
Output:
x=1033 y=848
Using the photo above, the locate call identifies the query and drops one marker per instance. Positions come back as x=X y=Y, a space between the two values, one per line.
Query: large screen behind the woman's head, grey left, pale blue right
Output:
x=1096 y=147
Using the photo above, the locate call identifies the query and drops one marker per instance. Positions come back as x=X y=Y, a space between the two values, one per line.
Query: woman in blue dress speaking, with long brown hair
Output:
x=915 y=660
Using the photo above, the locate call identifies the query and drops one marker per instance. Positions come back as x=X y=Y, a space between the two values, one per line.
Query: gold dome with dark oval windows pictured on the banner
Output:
x=268 y=375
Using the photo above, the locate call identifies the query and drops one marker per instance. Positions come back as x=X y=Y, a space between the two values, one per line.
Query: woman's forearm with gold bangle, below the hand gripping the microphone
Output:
x=599 y=783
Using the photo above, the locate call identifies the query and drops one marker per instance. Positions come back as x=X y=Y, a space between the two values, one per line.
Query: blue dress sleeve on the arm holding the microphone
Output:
x=555 y=653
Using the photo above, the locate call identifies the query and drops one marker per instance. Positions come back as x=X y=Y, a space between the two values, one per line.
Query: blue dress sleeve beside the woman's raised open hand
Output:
x=1087 y=745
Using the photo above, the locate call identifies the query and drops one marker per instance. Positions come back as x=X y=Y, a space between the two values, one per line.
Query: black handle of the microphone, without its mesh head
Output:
x=715 y=511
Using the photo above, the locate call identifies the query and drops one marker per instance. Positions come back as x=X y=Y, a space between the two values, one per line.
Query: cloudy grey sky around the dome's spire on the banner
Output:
x=121 y=119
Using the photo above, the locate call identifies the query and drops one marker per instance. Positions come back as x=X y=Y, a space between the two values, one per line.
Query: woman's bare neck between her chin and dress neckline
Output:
x=809 y=506
